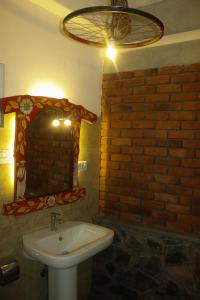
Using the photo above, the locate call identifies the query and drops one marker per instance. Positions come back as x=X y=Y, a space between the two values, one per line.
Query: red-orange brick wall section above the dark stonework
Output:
x=150 y=147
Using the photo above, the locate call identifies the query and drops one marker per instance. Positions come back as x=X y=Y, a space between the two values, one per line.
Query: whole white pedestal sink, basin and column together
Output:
x=63 y=250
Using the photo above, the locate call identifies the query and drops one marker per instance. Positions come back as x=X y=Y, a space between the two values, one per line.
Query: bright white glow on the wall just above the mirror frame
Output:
x=47 y=89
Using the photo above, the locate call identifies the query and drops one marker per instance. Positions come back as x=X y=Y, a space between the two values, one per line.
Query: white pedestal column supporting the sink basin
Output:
x=62 y=283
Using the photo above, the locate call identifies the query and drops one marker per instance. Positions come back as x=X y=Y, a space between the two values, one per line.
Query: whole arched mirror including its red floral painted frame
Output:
x=46 y=156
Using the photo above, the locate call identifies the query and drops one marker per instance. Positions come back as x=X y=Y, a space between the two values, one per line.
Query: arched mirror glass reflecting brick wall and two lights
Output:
x=49 y=158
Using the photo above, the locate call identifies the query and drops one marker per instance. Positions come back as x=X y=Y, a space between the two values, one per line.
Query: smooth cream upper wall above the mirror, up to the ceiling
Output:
x=35 y=52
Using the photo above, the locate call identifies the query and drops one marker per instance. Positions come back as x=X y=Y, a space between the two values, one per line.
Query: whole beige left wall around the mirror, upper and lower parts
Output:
x=35 y=52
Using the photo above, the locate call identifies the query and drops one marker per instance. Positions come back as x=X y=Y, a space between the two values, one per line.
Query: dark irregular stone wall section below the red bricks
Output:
x=145 y=264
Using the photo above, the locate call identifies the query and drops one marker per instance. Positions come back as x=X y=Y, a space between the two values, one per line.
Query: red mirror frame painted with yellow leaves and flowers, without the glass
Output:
x=26 y=107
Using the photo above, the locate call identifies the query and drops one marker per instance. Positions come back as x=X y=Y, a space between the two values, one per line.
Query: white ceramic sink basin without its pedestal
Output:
x=73 y=243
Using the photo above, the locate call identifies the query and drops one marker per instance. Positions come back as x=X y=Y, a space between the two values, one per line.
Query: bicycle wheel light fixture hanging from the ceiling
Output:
x=119 y=25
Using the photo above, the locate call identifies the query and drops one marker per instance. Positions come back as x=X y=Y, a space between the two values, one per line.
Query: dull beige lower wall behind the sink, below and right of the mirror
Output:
x=31 y=286
